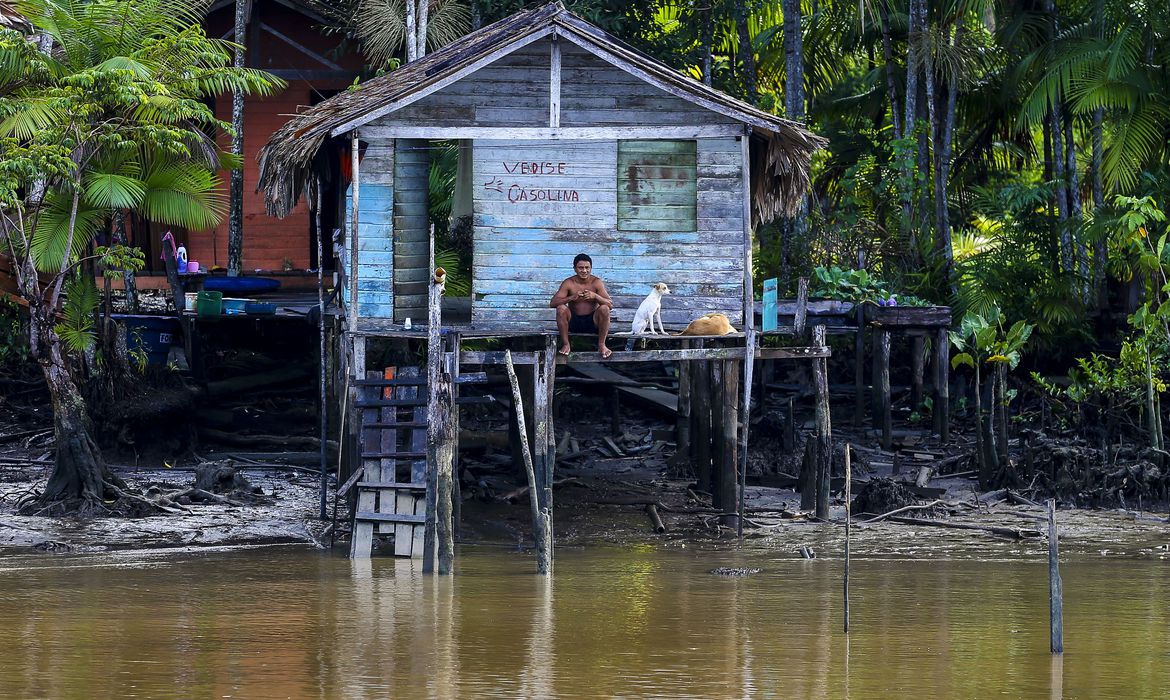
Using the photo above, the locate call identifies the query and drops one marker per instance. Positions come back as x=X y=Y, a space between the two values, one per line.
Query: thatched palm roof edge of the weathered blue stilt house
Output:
x=780 y=169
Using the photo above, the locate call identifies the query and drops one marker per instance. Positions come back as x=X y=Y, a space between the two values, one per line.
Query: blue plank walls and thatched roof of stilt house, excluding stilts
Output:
x=572 y=142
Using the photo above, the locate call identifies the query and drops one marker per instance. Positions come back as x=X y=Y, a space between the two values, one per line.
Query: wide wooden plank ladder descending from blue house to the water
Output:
x=391 y=493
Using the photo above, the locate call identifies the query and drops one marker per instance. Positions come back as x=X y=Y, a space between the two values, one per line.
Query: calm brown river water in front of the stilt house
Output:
x=614 y=622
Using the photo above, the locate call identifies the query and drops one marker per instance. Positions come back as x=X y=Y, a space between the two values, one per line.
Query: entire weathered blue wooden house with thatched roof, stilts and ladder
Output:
x=570 y=141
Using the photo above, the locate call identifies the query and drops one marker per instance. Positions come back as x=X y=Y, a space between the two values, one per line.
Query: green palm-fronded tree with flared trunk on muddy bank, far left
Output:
x=112 y=116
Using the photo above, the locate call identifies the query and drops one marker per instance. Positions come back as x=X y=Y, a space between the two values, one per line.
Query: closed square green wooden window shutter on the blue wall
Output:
x=657 y=186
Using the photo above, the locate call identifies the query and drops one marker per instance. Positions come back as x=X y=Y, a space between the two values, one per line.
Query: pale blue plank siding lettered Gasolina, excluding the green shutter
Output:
x=531 y=222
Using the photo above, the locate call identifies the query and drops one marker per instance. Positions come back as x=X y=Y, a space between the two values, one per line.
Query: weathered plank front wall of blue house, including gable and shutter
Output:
x=538 y=204
